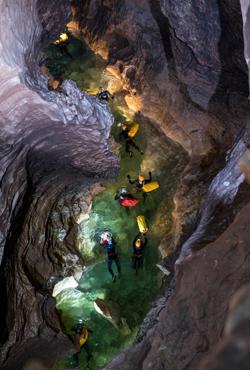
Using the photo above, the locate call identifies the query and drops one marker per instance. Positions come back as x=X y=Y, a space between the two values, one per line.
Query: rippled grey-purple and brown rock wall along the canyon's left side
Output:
x=50 y=143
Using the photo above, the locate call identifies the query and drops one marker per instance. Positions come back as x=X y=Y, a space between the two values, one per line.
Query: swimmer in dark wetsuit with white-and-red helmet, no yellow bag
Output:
x=108 y=243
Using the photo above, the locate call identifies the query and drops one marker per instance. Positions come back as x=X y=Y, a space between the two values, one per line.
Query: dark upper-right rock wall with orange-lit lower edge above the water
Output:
x=176 y=63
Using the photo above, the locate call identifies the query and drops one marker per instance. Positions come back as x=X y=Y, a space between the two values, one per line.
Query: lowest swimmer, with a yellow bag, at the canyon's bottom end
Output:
x=81 y=334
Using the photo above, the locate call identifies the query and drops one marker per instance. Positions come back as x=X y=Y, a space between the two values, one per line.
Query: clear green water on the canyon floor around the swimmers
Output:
x=131 y=295
